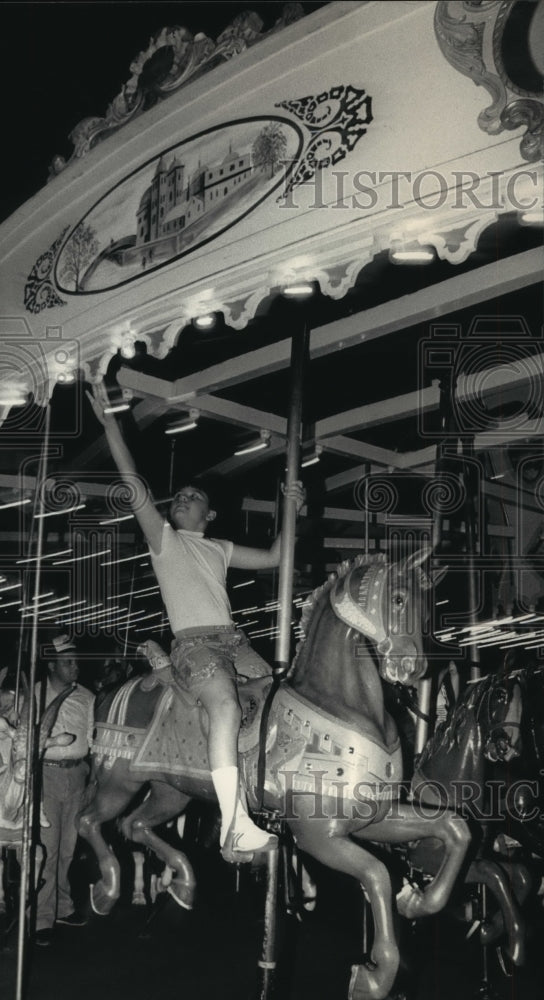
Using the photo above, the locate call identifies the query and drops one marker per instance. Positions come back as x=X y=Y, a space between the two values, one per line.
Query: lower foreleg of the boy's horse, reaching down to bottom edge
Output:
x=330 y=843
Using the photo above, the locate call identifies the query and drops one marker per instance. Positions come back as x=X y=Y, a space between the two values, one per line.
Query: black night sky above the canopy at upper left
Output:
x=61 y=62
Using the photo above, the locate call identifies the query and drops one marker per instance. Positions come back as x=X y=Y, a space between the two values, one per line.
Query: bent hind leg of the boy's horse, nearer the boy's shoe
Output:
x=163 y=802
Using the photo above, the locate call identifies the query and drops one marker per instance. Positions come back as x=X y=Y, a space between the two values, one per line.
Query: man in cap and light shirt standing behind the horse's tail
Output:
x=64 y=778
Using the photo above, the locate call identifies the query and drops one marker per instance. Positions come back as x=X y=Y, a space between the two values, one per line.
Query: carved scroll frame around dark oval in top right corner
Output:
x=492 y=42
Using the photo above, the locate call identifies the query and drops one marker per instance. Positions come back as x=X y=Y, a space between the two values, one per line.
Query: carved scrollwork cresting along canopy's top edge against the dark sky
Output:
x=173 y=57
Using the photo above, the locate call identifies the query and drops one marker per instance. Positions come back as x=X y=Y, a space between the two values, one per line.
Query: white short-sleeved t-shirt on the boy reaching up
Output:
x=191 y=571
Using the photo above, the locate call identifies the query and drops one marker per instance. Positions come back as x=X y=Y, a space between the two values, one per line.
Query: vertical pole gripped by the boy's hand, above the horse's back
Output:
x=299 y=354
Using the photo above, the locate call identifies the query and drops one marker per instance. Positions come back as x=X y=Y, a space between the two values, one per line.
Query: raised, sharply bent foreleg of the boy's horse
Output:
x=404 y=823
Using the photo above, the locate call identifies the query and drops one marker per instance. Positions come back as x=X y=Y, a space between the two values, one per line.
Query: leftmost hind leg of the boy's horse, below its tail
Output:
x=113 y=794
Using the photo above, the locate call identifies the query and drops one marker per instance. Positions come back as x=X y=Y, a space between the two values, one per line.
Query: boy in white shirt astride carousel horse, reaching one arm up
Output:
x=207 y=648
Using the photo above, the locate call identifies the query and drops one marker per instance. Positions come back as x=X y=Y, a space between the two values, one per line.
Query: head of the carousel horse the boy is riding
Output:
x=384 y=602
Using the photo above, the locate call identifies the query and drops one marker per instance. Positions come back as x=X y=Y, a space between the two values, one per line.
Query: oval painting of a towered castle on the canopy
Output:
x=177 y=202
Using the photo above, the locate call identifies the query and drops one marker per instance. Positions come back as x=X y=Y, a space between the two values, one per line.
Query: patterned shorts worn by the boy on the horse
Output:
x=197 y=653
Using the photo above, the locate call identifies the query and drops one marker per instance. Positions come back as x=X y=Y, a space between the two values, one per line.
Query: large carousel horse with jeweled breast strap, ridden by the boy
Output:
x=333 y=757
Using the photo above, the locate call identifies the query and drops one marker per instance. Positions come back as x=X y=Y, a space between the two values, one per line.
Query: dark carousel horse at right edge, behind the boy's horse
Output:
x=485 y=762
